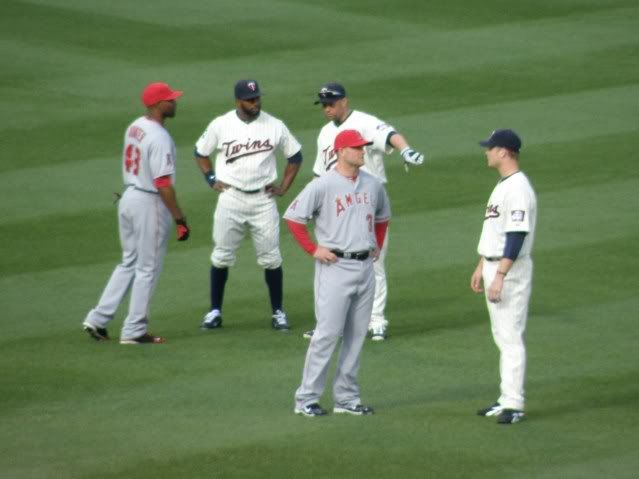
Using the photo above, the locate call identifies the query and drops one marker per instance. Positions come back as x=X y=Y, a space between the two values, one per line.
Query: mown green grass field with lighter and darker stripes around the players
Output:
x=564 y=73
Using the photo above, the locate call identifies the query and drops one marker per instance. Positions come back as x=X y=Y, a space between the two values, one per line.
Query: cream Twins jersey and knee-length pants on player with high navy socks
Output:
x=245 y=160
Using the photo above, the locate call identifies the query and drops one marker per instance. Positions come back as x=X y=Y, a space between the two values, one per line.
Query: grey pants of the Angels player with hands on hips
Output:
x=343 y=302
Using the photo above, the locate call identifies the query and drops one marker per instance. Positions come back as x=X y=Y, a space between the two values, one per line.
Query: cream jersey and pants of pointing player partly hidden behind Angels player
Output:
x=375 y=130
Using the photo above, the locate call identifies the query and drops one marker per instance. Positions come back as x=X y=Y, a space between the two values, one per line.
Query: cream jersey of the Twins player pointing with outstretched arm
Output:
x=371 y=128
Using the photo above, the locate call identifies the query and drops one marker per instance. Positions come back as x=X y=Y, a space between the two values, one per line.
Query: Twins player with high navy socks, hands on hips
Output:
x=244 y=141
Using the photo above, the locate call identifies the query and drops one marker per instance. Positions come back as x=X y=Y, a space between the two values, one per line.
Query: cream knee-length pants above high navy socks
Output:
x=234 y=214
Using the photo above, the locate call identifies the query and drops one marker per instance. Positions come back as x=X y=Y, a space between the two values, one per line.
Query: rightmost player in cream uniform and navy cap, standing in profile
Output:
x=505 y=266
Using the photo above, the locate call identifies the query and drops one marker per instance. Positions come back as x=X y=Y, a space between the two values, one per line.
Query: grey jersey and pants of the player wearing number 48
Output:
x=144 y=225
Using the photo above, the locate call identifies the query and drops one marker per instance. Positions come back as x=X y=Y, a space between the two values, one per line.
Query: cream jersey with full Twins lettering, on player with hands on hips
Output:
x=246 y=151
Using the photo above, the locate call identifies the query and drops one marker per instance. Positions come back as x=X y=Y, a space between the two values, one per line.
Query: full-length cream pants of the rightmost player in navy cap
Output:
x=508 y=322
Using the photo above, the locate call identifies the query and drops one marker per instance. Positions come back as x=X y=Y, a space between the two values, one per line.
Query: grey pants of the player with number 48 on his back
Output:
x=144 y=224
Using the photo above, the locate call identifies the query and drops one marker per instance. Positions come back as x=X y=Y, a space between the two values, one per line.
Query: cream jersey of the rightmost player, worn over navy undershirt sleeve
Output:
x=512 y=207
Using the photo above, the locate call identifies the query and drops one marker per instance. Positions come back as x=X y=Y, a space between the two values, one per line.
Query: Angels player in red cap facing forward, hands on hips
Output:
x=351 y=213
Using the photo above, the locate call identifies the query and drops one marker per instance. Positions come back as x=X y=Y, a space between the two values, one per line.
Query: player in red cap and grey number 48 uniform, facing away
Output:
x=144 y=216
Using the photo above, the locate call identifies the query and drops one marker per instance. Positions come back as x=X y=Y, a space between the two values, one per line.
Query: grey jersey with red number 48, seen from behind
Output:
x=149 y=153
